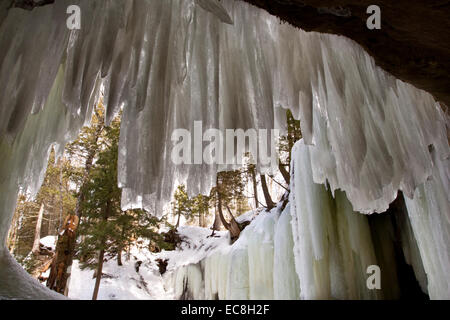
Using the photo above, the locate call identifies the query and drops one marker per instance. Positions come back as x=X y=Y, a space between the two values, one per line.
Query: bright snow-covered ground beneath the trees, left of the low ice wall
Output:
x=124 y=283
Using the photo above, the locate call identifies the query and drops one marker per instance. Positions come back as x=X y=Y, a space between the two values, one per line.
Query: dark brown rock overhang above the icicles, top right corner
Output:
x=413 y=43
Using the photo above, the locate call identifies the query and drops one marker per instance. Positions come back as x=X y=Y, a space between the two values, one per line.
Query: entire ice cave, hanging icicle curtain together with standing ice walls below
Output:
x=370 y=178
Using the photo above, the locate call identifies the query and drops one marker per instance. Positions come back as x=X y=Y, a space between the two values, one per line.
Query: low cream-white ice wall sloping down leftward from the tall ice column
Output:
x=248 y=269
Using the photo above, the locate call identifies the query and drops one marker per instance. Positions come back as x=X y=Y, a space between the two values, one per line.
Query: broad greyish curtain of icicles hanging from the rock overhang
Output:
x=170 y=63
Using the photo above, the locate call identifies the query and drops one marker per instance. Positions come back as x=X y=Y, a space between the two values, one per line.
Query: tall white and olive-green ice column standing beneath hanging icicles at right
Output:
x=332 y=244
